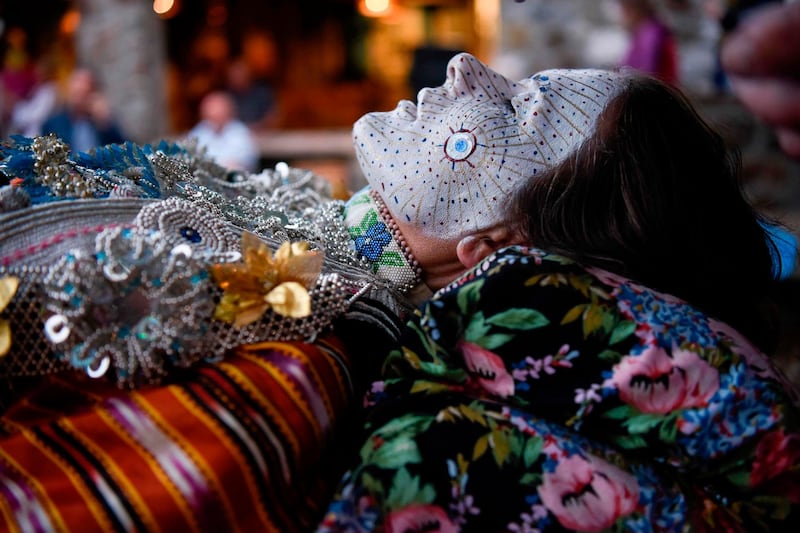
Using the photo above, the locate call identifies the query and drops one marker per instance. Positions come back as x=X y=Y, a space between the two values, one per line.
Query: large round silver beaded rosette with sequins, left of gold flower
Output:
x=137 y=302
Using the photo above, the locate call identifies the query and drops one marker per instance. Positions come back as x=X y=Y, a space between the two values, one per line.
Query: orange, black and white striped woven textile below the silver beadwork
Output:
x=240 y=445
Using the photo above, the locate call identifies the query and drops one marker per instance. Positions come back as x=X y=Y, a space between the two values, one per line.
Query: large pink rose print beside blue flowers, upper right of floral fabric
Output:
x=654 y=382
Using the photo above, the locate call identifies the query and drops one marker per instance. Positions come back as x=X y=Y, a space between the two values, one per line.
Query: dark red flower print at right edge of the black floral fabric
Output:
x=776 y=464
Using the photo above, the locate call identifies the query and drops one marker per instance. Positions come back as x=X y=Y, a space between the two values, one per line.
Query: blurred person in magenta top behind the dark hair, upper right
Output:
x=653 y=48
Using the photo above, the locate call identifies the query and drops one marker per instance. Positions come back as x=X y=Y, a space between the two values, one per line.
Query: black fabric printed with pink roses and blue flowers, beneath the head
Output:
x=535 y=394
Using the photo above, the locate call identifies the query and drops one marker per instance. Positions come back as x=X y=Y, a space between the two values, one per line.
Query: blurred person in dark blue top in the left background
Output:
x=84 y=120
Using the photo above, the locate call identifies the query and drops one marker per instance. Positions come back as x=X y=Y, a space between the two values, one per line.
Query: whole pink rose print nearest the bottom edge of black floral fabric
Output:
x=588 y=494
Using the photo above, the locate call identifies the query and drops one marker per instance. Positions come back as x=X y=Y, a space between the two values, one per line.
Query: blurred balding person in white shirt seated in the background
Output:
x=226 y=139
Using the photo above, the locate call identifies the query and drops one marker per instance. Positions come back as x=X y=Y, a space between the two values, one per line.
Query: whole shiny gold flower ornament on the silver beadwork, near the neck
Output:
x=264 y=280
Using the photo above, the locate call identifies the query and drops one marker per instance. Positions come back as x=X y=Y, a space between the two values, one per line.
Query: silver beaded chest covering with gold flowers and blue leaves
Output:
x=132 y=260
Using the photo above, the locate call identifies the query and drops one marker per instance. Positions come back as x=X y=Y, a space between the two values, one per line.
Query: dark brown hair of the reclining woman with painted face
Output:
x=654 y=194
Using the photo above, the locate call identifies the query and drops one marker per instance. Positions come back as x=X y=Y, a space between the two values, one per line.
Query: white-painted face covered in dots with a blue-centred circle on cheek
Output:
x=445 y=164
